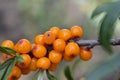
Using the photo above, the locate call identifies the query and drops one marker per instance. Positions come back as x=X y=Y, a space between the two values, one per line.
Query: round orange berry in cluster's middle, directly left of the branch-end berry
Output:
x=59 y=45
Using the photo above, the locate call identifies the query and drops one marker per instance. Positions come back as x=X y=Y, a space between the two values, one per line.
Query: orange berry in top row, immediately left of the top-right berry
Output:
x=64 y=34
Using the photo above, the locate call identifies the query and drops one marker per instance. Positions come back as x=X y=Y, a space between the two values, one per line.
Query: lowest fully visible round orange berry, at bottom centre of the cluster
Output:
x=43 y=63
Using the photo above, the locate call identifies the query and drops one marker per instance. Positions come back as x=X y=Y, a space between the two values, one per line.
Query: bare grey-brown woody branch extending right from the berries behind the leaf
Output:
x=93 y=43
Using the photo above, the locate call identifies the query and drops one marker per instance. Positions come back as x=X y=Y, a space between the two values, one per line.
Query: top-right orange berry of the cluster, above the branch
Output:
x=76 y=31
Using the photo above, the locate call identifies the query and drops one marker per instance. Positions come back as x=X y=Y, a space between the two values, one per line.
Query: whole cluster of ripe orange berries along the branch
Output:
x=47 y=51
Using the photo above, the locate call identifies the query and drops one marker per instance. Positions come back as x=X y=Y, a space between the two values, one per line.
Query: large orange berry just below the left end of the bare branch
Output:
x=72 y=49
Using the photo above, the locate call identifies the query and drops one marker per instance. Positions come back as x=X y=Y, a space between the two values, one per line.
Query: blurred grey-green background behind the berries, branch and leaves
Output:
x=28 y=18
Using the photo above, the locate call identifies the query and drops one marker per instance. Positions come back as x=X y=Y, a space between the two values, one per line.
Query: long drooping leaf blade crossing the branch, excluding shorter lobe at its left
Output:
x=108 y=25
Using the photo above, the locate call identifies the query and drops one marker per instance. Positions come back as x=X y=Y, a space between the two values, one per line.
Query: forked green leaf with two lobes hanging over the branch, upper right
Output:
x=112 y=11
